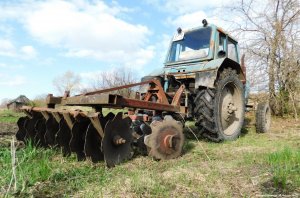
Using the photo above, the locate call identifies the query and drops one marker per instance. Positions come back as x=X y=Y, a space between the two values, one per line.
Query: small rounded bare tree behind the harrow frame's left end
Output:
x=68 y=81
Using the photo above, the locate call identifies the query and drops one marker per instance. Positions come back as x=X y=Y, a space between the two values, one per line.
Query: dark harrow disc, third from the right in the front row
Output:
x=78 y=133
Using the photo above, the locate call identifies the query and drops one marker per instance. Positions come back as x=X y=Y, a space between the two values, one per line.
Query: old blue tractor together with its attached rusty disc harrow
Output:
x=203 y=79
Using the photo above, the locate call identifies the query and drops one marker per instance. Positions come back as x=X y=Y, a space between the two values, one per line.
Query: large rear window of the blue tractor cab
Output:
x=194 y=45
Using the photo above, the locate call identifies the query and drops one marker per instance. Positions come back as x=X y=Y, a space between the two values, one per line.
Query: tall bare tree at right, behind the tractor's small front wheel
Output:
x=271 y=40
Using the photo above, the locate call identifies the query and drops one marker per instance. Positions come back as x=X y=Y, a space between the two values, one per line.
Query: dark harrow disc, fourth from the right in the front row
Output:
x=63 y=137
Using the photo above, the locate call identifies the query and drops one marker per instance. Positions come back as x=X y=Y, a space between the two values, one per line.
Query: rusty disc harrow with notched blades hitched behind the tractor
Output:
x=146 y=129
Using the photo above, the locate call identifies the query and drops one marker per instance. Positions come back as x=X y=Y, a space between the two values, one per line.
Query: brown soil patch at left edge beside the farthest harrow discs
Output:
x=7 y=131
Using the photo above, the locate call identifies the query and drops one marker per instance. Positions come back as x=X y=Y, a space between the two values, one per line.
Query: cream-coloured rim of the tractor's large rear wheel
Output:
x=231 y=105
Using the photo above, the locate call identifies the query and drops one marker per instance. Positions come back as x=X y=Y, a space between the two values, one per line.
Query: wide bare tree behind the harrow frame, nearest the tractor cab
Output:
x=115 y=78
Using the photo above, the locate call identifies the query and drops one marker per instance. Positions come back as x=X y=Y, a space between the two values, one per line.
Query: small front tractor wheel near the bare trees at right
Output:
x=263 y=117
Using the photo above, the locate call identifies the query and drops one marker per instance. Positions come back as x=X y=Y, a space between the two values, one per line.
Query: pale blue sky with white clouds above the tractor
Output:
x=40 y=40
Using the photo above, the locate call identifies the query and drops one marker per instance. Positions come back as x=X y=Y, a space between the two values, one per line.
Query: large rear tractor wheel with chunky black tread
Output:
x=220 y=112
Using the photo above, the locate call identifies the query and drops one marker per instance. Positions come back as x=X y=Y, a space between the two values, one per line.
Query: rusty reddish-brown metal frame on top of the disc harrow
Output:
x=100 y=99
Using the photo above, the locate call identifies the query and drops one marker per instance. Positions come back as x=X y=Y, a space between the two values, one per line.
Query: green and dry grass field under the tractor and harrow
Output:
x=254 y=165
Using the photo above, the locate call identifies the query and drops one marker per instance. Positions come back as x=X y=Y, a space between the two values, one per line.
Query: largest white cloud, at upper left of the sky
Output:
x=85 y=29
